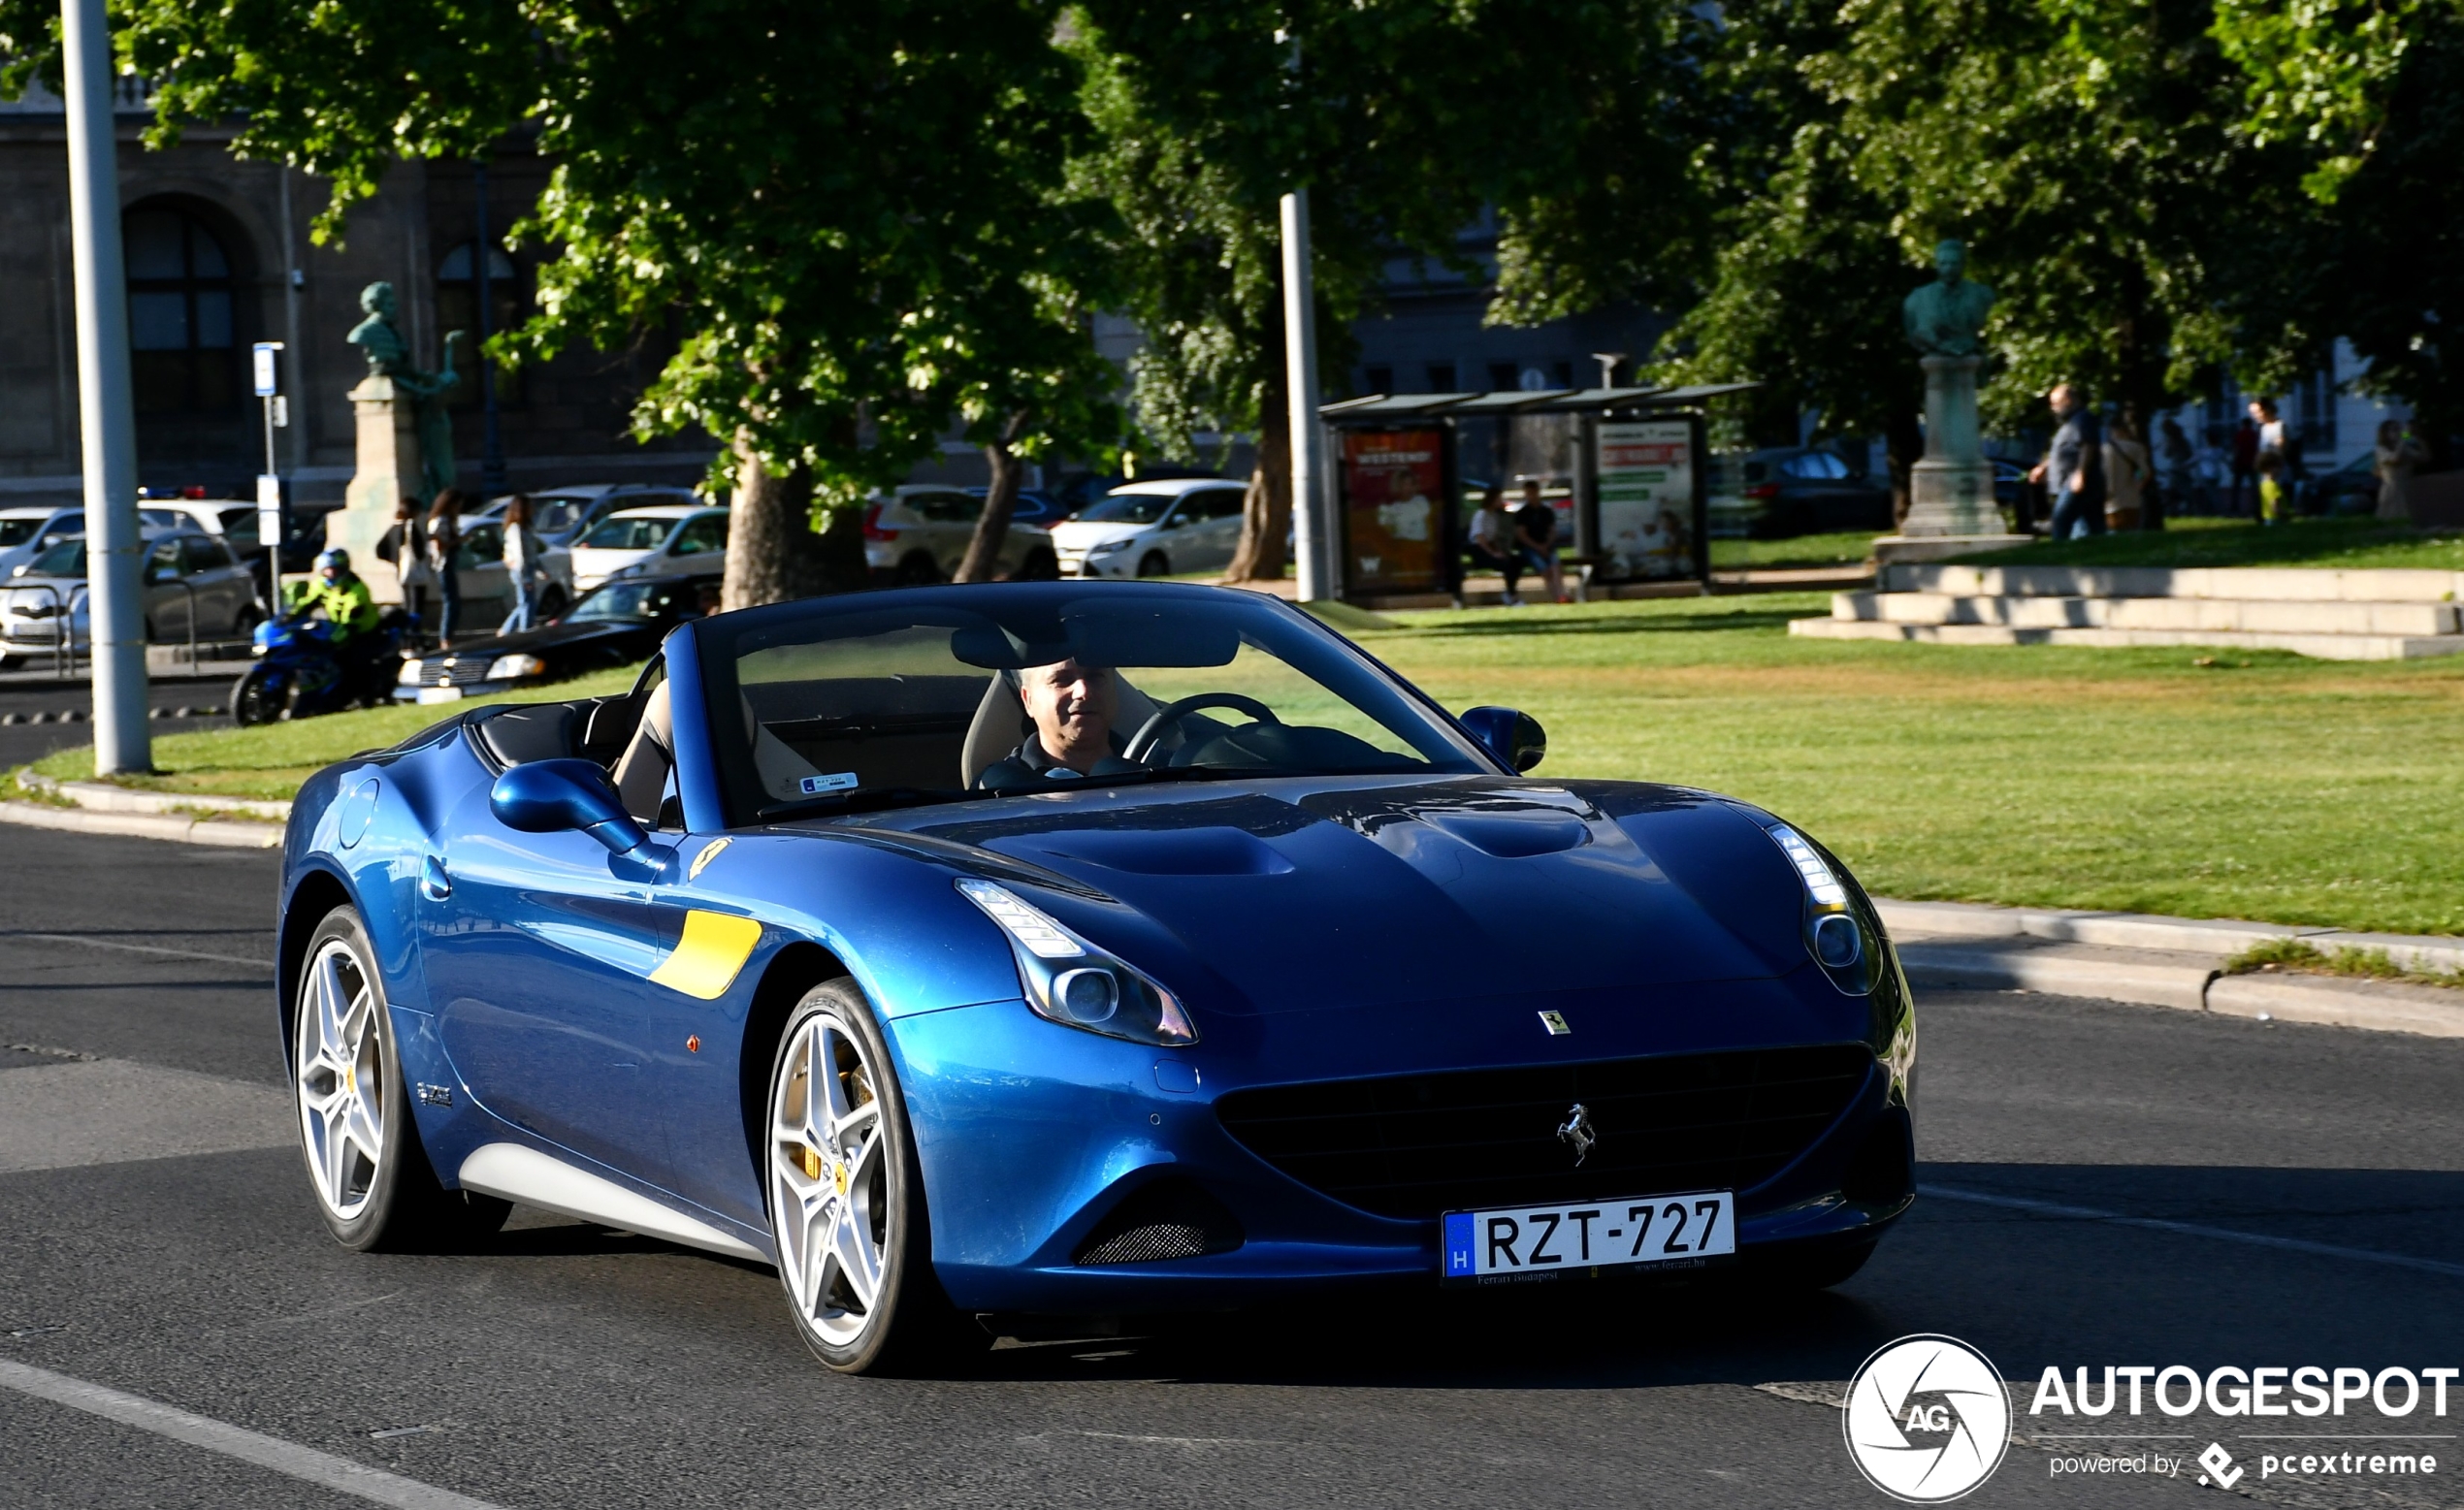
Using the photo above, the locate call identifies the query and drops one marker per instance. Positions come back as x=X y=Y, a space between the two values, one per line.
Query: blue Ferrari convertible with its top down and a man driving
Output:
x=982 y=955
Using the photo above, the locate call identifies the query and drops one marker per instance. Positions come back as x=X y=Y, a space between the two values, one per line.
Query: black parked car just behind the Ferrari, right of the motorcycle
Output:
x=615 y=624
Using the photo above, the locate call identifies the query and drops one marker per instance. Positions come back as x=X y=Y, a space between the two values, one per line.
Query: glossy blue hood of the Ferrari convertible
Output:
x=1371 y=893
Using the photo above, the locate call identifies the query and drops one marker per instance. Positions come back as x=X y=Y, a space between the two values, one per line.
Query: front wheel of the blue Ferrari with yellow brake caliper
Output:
x=846 y=1196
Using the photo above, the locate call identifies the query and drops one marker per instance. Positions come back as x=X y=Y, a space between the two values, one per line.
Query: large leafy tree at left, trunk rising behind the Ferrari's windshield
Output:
x=822 y=198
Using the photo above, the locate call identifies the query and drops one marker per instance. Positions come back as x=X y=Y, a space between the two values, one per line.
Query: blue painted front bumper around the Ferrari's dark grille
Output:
x=1034 y=1134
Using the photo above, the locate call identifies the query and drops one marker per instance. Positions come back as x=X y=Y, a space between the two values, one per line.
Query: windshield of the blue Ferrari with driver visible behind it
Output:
x=987 y=691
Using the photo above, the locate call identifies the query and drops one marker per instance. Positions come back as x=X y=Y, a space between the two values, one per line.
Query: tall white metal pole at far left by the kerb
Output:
x=105 y=398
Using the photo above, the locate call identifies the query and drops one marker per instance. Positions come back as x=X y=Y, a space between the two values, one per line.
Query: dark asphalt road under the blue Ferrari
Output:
x=156 y=1238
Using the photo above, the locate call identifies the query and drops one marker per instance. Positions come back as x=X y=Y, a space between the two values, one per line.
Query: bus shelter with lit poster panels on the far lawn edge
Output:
x=1642 y=484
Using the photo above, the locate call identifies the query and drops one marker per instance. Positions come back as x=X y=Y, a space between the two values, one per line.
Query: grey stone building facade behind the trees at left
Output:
x=221 y=257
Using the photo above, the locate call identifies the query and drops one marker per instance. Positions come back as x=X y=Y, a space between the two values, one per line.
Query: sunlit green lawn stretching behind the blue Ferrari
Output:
x=2263 y=787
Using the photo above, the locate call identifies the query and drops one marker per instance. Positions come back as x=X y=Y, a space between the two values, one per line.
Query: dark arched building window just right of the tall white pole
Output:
x=179 y=314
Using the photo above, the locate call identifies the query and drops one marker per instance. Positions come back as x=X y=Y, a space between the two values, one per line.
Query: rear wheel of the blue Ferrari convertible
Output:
x=349 y=1090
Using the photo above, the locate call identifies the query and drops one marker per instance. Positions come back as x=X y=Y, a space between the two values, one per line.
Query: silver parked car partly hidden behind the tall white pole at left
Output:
x=191 y=583
